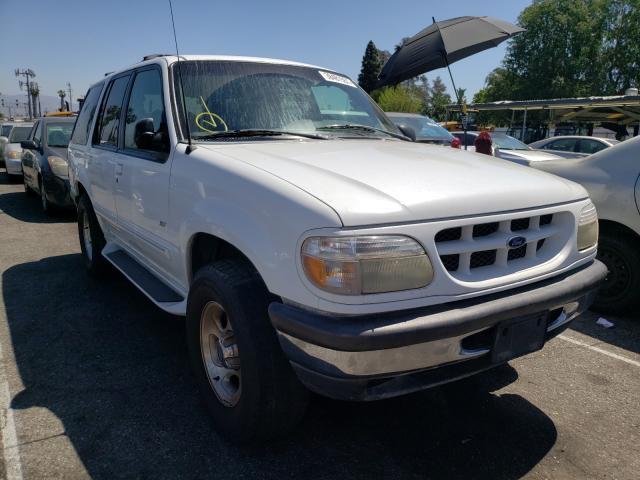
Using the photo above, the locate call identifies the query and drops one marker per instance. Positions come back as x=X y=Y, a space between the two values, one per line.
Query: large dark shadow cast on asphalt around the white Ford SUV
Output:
x=114 y=370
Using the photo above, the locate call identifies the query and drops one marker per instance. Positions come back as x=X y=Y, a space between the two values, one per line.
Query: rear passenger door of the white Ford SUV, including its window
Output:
x=104 y=156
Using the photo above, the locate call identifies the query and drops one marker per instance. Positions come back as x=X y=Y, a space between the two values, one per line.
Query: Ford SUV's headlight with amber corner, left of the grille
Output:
x=366 y=264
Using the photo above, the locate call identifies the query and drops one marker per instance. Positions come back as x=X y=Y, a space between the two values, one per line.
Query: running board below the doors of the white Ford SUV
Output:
x=159 y=292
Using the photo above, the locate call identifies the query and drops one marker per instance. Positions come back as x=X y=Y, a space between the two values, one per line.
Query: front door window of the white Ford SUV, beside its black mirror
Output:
x=146 y=123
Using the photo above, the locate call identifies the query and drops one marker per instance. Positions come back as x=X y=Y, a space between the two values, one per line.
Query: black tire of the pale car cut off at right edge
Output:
x=619 y=293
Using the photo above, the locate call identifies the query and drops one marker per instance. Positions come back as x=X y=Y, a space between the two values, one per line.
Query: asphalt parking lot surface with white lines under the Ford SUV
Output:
x=95 y=383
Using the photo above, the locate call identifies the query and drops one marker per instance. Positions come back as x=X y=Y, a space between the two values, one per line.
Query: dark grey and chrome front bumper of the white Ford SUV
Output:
x=378 y=356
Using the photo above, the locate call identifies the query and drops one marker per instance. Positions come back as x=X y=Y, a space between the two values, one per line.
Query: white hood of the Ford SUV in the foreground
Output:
x=388 y=181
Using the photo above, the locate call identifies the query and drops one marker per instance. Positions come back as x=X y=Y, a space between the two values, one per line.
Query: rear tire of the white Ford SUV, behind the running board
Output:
x=91 y=238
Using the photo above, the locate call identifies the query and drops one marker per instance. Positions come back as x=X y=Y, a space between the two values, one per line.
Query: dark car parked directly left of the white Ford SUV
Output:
x=44 y=161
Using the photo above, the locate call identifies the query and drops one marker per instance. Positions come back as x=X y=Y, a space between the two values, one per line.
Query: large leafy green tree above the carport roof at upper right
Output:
x=571 y=48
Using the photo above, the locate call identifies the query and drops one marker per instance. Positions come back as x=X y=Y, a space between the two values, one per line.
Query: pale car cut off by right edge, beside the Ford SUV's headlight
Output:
x=612 y=177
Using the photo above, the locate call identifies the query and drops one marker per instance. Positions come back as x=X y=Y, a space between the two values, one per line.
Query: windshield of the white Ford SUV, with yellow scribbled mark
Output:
x=226 y=96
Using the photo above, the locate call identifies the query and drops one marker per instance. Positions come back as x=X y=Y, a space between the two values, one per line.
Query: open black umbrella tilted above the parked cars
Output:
x=443 y=43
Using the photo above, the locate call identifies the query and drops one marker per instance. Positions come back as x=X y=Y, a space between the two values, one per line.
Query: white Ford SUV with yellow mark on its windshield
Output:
x=310 y=244
